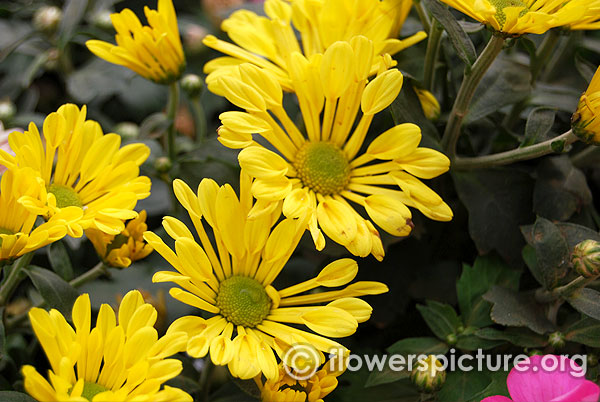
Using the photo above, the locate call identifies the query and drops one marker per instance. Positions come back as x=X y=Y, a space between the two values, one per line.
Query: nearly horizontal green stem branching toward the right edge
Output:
x=553 y=145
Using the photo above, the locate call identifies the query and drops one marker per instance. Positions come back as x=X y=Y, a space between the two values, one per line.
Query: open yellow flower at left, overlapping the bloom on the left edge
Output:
x=81 y=167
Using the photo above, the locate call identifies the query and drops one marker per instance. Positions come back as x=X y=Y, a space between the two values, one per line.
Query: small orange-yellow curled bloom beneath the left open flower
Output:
x=121 y=250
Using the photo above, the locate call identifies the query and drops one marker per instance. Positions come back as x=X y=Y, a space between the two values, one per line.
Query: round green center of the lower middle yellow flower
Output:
x=243 y=301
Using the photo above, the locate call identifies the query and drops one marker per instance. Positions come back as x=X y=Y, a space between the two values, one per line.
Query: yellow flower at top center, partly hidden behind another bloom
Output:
x=268 y=42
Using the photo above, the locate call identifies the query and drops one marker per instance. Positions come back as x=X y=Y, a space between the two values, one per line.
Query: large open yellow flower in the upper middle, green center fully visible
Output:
x=322 y=170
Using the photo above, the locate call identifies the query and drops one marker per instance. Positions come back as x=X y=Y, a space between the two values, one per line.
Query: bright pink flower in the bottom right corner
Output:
x=548 y=378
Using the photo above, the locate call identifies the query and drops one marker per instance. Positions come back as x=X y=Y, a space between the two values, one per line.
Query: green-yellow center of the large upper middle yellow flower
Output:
x=322 y=167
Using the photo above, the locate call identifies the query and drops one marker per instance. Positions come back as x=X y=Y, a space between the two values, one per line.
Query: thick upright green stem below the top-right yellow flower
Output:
x=470 y=82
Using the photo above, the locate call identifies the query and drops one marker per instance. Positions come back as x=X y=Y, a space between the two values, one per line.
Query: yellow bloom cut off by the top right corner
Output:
x=517 y=17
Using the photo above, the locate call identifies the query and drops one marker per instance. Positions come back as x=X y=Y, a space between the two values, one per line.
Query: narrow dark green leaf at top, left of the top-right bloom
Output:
x=458 y=37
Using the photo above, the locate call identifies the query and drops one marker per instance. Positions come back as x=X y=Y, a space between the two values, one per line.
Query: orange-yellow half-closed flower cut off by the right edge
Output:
x=586 y=120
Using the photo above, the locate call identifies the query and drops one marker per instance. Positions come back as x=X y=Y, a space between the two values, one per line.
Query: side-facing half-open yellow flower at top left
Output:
x=153 y=51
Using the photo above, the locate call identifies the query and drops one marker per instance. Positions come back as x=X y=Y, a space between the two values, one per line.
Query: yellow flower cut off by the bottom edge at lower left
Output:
x=113 y=362
